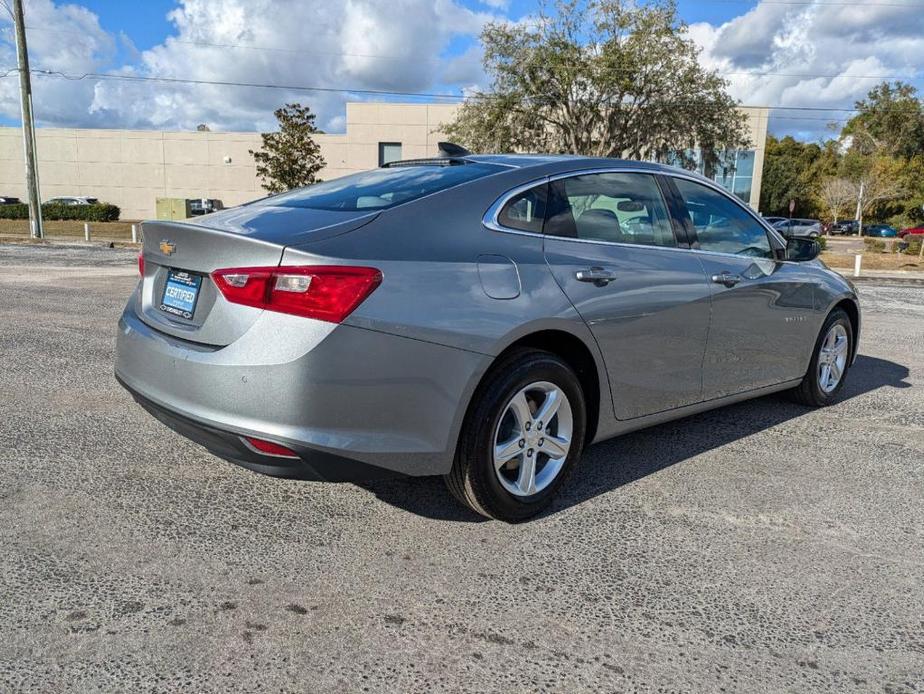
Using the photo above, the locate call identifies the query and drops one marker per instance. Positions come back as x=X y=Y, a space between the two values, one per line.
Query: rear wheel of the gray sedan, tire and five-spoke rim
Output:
x=493 y=489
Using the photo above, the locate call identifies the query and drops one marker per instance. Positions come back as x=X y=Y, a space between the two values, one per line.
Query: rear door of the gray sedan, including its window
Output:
x=613 y=249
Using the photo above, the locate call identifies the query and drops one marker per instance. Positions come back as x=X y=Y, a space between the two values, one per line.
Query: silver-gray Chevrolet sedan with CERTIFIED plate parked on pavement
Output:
x=484 y=318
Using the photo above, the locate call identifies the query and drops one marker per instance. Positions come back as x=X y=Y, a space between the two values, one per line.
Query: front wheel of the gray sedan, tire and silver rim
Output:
x=817 y=390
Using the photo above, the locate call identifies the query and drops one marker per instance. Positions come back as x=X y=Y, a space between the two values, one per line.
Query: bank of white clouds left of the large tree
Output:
x=390 y=45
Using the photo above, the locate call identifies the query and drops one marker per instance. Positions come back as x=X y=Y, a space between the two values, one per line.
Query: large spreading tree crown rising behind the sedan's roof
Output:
x=610 y=78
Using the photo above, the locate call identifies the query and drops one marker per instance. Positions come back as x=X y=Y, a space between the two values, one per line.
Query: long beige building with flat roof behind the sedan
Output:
x=132 y=168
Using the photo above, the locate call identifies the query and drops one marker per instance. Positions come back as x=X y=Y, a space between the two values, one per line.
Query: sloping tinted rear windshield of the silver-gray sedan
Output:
x=382 y=188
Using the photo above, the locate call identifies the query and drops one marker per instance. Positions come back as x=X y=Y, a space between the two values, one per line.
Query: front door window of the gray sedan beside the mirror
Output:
x=722 y=225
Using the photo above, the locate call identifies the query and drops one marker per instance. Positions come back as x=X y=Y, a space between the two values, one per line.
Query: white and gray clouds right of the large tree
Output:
x=819 y=56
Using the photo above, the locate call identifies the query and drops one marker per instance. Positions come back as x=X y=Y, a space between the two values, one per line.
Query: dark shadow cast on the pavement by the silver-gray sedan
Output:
x=611 y=464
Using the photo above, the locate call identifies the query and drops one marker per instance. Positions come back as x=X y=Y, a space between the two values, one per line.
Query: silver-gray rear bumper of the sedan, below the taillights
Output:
x=361 y=400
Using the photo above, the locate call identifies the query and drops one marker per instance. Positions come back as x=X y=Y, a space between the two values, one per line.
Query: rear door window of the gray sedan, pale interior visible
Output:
x=611 y=207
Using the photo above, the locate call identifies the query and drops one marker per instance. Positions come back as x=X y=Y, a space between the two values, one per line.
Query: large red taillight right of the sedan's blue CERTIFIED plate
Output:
x=324 y=292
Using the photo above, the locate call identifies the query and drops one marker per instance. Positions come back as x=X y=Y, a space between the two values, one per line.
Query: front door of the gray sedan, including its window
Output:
x=762 y=306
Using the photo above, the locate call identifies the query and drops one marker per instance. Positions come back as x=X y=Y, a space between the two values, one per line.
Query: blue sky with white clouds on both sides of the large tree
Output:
x=792 y=54
